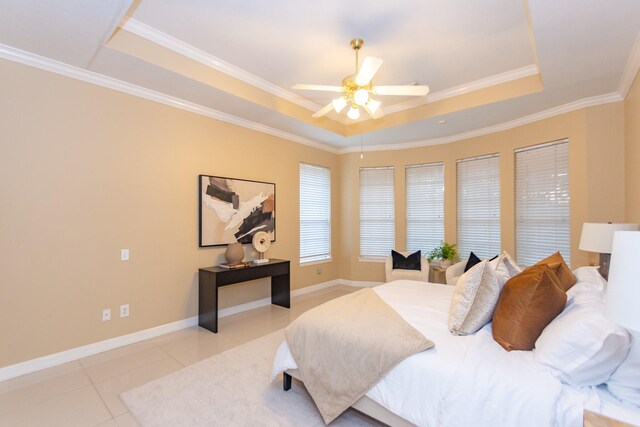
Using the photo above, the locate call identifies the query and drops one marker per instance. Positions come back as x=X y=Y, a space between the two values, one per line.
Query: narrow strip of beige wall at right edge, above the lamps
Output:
x=632 y=140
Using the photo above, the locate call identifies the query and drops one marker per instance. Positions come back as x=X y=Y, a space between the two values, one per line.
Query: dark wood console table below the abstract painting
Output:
x=211 y=278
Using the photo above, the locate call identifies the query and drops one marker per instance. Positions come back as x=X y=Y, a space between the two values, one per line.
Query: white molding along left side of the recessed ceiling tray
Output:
x=178 y=46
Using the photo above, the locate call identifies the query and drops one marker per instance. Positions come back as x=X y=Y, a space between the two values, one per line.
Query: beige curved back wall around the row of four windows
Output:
x=596 y=179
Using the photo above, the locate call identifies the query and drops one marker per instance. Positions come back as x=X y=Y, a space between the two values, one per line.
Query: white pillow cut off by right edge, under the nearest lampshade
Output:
x=625 y=381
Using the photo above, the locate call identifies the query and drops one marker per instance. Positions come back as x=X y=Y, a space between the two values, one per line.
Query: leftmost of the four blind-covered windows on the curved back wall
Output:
x=377 y=212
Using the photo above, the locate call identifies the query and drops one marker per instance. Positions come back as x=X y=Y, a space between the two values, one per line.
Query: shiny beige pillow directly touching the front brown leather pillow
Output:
x=474 y=299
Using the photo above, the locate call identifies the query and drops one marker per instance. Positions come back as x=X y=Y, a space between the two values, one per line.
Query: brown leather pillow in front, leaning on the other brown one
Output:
x=528 y=303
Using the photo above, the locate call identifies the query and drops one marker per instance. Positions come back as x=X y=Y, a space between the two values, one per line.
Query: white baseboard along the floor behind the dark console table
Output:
x=70 y=355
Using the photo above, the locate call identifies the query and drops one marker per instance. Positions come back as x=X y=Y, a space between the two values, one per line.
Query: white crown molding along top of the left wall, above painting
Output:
x=47 y=64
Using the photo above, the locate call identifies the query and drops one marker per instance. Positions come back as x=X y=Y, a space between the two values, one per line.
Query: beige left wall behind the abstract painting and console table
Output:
x=86 y=171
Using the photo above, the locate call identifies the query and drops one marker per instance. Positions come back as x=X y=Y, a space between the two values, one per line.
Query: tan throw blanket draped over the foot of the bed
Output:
x=345 y=346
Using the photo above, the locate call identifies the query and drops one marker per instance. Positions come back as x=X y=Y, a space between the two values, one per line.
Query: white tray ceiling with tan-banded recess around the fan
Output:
x=489 y=64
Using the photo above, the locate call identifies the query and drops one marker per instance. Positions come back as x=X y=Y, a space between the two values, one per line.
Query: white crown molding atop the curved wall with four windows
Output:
x=552 y=112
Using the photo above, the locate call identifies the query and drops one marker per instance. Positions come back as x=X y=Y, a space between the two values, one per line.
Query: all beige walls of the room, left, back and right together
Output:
x=86 y=171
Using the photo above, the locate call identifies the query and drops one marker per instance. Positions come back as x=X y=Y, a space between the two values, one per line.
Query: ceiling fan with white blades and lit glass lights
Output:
x=357 y=89
